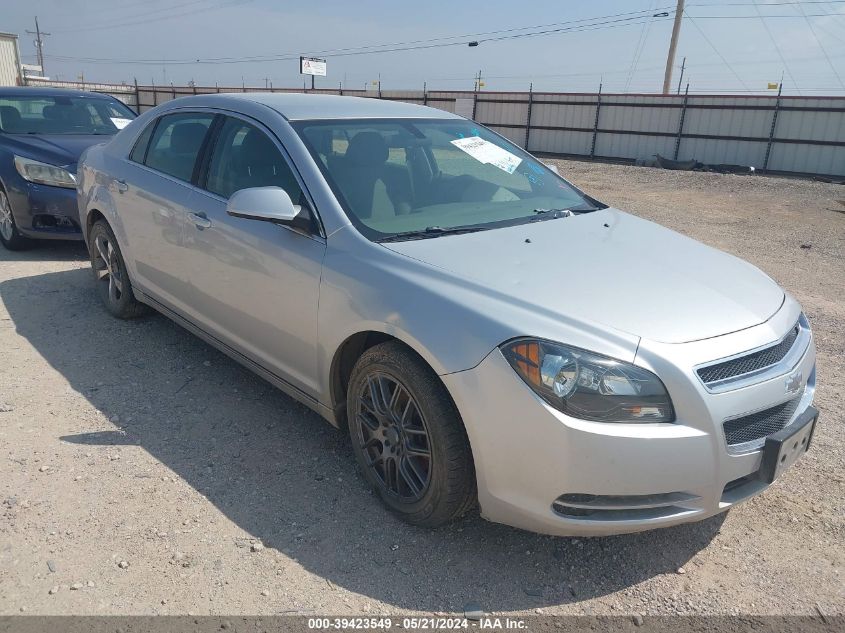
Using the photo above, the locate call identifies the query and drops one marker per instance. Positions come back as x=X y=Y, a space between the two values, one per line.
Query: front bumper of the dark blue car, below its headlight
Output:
x=45 y=212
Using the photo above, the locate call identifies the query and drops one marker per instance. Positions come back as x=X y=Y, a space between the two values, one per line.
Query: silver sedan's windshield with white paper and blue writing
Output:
x=414 y=178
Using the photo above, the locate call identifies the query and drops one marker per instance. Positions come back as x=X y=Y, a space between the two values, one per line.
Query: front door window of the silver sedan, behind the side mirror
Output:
x=244 y=157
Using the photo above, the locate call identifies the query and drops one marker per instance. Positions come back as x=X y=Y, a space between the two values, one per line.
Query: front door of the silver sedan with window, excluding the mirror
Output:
x=254 y=284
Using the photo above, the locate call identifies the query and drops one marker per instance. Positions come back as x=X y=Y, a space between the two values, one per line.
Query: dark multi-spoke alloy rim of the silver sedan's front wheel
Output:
x=394 y=438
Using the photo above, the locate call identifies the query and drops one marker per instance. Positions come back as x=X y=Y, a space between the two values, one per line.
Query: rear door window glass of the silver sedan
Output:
x=176 y=142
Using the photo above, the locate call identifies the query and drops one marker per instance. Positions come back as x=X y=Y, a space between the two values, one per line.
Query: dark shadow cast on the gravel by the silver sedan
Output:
x=285 y=476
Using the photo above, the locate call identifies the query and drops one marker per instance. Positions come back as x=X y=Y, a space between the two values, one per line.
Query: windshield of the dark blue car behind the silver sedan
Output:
x=62 y=115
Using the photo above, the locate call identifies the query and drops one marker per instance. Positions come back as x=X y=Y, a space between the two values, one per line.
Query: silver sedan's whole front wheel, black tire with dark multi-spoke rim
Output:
x=399 y=411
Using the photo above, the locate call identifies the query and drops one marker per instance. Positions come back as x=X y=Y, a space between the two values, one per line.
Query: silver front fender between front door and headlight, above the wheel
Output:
x=453 y=323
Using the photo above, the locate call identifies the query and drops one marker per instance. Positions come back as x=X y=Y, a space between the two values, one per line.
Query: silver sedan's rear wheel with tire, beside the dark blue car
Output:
x=110 y=274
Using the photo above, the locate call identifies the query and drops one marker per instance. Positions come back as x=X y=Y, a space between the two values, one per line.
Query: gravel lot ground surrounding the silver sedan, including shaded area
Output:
x=143 y=472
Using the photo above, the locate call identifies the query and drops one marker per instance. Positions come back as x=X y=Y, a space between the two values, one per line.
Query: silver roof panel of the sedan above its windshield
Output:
x=298 y=106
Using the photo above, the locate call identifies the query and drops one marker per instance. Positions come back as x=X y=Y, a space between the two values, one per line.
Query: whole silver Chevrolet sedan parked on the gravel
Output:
x=488 y=333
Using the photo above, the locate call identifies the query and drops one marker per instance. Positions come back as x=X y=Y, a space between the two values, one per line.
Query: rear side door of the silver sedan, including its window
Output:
x=154 y=201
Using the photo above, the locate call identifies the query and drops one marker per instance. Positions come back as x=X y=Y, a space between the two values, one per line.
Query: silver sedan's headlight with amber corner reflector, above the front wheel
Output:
x=589 y=386
